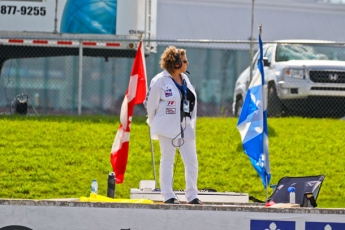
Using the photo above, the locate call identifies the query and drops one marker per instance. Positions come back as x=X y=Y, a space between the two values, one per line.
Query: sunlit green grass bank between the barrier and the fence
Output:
x=59 y=156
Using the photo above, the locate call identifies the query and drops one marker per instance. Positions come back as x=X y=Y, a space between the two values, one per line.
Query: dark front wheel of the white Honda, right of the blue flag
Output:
x=274 y=106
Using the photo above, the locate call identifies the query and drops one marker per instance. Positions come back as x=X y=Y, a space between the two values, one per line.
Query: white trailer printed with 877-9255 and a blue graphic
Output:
x=102 y=28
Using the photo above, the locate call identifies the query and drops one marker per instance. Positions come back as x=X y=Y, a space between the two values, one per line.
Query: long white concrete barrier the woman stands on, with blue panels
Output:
x=64 y=214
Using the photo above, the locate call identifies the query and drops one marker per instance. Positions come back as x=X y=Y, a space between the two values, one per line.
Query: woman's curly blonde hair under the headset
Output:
x=170 y=56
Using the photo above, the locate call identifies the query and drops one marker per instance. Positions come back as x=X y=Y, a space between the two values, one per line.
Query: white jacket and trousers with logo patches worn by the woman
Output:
x=163 y=103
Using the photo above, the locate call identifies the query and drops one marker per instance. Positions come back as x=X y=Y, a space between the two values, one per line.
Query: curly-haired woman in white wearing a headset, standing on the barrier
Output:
x=171 y=104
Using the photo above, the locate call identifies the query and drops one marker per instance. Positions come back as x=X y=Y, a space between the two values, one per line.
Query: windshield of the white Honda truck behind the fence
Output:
x=288 y=52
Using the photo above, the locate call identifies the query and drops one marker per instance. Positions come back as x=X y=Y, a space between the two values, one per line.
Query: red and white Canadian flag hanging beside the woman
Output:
x=135 y=94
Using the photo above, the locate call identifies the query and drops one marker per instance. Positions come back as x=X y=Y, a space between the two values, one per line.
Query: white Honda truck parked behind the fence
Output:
x=302 y=78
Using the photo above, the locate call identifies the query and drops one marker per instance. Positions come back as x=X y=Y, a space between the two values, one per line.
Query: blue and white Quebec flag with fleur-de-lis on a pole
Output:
x=252 y=123
